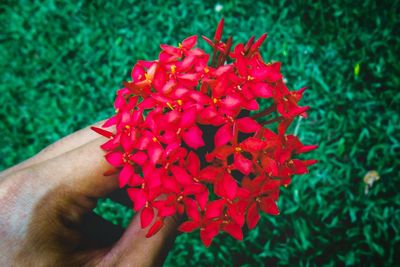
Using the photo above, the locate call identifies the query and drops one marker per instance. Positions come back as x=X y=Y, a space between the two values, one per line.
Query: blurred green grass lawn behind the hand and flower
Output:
x=61 y=62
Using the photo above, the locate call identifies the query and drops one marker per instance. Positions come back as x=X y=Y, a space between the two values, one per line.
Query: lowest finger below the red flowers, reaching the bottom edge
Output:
x=134 y=249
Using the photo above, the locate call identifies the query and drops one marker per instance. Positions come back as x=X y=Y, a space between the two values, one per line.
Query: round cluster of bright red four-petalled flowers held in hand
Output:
x=185 y=142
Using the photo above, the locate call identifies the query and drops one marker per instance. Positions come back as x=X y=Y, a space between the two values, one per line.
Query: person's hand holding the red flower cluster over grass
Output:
x=46 y=200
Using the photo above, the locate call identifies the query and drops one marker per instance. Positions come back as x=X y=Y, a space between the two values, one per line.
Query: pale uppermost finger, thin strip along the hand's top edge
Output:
x=64 y=145
